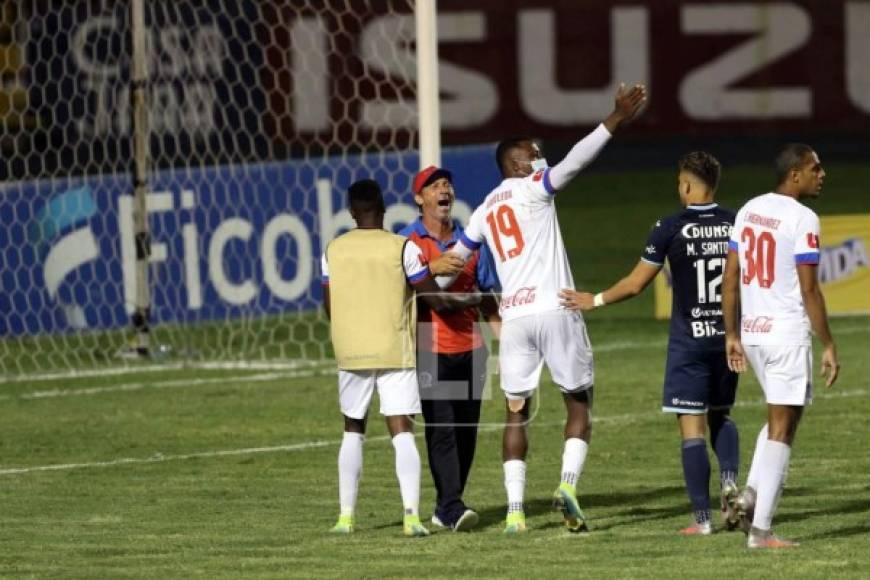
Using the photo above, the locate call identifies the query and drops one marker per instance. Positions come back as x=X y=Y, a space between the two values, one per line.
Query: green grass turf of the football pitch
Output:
x=231 y=474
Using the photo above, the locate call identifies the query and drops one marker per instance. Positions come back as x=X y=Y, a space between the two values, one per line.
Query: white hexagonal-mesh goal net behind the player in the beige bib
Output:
x=260 y=114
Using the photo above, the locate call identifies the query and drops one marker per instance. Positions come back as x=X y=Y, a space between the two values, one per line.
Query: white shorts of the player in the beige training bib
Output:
x=397 y=390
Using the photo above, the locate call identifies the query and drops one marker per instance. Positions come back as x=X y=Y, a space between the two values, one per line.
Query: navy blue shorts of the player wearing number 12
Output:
x=698 y=381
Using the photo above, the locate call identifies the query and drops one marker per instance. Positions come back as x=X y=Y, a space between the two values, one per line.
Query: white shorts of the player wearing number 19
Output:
x=558 y=338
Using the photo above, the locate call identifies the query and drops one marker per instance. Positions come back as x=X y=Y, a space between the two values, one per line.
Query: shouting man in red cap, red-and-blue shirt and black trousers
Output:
x=451 y=362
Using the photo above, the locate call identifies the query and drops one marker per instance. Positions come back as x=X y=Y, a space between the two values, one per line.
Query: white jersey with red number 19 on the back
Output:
x=518 y=222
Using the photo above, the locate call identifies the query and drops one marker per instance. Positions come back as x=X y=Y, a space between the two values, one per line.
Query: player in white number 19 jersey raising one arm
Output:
x=517 y=220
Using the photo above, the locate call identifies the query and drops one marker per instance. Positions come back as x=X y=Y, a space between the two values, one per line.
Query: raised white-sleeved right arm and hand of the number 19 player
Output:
x=628 y=103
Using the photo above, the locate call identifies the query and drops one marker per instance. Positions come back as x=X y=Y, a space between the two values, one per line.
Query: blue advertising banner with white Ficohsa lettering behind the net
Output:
x=227 y=241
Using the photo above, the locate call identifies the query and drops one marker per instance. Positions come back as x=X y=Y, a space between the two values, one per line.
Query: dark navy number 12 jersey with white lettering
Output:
x=695 y=243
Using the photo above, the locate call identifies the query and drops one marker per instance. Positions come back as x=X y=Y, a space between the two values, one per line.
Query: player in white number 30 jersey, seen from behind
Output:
x=771 y=284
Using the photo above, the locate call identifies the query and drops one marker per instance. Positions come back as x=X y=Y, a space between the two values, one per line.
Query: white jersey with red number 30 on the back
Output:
x=772 y=234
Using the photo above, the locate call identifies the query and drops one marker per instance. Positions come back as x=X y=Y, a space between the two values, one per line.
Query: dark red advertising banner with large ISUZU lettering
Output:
x=549 y=68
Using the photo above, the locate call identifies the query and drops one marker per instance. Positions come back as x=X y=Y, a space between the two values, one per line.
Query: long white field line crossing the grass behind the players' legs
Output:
x=160 y=458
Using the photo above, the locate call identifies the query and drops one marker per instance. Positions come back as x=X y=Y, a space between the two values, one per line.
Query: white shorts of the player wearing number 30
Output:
x=785 y=372
